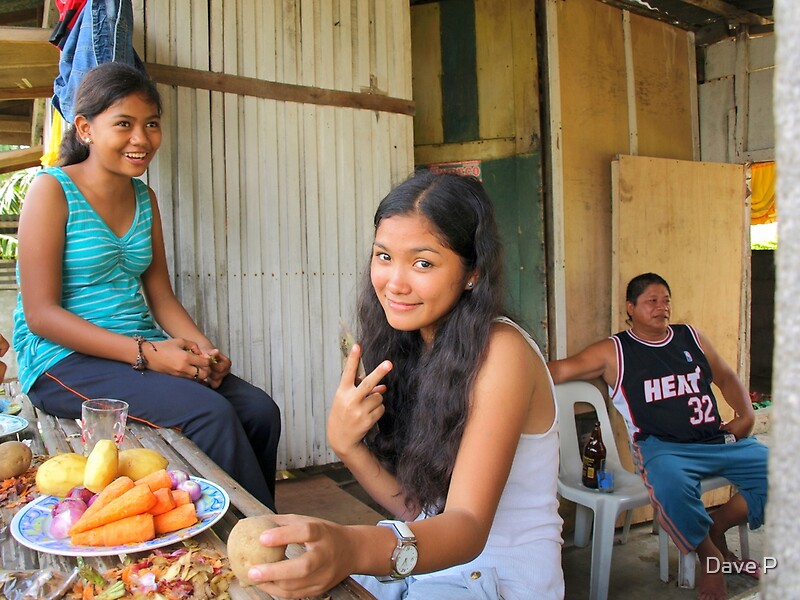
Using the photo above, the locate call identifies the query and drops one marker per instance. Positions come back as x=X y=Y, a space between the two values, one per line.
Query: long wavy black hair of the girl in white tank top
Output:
x=428 y=393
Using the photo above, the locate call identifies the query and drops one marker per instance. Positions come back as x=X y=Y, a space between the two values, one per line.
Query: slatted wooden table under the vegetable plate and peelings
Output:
x=50 y=436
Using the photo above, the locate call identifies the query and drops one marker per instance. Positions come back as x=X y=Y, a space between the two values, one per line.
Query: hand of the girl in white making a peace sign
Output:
x=356 y=408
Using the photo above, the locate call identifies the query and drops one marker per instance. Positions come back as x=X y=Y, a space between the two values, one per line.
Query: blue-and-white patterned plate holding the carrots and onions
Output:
x=31 y=525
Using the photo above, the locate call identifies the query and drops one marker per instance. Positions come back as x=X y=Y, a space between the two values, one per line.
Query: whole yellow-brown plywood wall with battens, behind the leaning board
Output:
x=620 y=84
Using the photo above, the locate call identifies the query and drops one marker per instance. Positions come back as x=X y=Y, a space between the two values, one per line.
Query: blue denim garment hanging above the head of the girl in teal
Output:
x=102 y=32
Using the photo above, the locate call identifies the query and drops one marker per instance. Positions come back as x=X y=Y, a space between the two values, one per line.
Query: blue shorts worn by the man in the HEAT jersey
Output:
x=672 y=473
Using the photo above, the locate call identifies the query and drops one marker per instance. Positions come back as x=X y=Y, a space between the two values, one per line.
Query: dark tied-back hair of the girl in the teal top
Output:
x=101 y=87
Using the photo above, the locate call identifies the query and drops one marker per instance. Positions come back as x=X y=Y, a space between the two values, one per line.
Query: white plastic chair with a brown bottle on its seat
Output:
x=629 y=490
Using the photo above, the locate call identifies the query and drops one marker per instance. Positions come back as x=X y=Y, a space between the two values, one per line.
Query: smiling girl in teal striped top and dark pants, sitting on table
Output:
x=97 y=315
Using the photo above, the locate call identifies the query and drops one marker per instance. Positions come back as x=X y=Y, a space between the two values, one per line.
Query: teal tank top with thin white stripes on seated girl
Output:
x=101 y=279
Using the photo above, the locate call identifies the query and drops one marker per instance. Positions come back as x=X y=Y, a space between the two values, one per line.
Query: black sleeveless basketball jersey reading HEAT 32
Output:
x=664 y=388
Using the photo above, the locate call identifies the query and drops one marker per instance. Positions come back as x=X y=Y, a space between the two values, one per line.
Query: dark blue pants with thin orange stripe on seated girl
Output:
x=237 y=425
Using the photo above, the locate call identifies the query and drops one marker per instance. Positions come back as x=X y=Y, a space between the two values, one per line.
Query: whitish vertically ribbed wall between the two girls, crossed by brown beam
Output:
x=267 y=204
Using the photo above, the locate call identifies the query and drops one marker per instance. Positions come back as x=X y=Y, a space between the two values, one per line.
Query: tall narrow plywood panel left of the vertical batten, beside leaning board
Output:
x=594 y=129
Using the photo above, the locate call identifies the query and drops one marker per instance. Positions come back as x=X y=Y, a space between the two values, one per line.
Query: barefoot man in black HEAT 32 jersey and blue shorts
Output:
x=659 y=378
